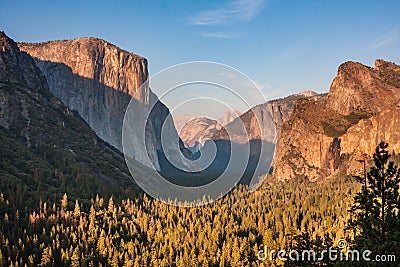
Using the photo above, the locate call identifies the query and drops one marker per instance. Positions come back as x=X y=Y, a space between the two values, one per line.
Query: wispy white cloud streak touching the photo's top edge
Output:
x=238 y=10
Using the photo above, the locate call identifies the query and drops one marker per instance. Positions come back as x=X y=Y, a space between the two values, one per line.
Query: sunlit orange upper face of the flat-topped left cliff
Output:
x=94 y=59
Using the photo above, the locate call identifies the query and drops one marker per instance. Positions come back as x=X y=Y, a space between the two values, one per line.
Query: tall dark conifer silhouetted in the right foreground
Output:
x=375 y=211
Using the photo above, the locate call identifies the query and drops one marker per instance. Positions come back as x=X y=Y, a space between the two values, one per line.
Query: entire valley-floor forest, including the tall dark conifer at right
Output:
x=292 y=215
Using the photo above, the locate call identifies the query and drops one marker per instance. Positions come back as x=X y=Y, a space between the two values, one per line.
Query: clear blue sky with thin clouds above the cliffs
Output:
x=285 y=47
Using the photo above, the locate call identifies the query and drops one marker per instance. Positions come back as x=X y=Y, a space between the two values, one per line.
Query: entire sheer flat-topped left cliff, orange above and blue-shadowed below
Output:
x=98 y=80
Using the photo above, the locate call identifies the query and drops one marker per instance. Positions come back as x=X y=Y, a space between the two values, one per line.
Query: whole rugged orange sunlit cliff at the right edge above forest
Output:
x=324 y=138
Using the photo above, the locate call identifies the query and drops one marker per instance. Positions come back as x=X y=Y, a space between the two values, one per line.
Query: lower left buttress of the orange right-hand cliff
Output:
x=302 y=150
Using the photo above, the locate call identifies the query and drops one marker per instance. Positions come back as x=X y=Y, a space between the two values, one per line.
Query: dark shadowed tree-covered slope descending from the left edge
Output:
x=46 y=149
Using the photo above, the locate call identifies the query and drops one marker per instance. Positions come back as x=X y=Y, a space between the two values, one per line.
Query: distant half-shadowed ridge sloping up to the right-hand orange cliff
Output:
x=259 y=128
